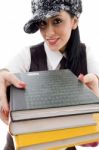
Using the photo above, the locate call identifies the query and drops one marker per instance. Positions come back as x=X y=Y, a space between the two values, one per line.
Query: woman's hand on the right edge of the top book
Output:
x=91 y=81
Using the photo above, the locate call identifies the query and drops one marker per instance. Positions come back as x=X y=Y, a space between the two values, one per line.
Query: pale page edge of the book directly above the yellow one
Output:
x=55 y=123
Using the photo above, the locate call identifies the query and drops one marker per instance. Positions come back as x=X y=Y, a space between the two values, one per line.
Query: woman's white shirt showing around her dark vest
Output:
x=21 y=63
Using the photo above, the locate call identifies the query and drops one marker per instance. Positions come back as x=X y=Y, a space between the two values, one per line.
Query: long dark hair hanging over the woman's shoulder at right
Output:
x=76 y=54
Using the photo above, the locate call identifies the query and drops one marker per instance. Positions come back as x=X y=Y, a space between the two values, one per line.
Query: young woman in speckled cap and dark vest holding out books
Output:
x=58 y=24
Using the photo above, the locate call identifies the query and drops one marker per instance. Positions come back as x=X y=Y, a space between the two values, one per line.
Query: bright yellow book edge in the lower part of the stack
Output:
x=23 y=140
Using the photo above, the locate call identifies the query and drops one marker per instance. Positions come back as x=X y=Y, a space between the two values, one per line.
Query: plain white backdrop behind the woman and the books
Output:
x=15 y=13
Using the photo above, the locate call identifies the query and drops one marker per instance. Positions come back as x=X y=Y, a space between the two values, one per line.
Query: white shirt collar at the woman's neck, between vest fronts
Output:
x=53 y=57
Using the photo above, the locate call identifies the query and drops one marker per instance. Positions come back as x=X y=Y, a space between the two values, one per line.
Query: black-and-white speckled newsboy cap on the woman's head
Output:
x=42 y=9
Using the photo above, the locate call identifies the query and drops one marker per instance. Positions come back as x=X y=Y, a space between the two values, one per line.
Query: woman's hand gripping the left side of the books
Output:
x=6 y=79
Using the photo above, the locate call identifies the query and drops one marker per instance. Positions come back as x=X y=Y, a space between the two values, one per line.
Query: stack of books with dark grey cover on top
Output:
x=54 y=111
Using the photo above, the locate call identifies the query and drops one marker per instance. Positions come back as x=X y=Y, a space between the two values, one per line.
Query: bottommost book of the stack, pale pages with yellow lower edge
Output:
x=62 y=144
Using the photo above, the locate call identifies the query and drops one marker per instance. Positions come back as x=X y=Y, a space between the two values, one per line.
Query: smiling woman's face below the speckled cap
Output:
x=56 y=30
